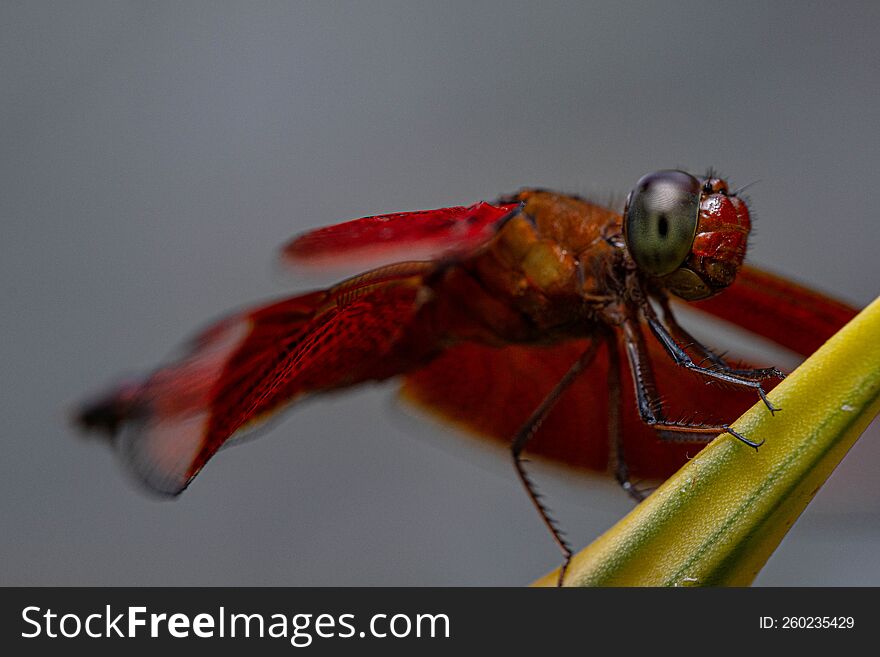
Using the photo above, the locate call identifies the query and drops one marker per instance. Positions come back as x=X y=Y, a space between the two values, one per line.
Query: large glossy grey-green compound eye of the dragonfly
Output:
x=660 y=222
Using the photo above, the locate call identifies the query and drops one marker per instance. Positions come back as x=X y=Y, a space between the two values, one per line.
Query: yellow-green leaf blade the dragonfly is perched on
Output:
x=718 y=519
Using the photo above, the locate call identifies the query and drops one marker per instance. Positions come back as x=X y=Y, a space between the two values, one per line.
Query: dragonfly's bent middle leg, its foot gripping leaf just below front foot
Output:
x=648 y=400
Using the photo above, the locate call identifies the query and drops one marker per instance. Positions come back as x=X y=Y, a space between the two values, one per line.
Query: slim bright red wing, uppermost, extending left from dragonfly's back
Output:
x=424 y=235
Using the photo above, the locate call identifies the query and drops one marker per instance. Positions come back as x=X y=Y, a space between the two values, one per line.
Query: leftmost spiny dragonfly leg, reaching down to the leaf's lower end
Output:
x=525 y=434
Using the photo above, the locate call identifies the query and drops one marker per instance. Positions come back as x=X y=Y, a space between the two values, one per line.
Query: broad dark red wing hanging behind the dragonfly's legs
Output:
x=492 y=392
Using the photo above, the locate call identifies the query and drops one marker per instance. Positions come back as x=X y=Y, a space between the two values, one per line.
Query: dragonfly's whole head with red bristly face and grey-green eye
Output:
x=688 y=234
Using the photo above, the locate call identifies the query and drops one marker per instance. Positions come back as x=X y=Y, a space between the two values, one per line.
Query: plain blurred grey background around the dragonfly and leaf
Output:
x=154 y=155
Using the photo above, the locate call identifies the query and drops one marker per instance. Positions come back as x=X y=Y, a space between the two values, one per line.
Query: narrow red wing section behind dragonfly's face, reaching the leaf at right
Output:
x=786 y=313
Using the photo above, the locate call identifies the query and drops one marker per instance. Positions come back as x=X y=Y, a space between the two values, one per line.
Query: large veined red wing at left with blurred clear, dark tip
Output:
x=245 y=367
